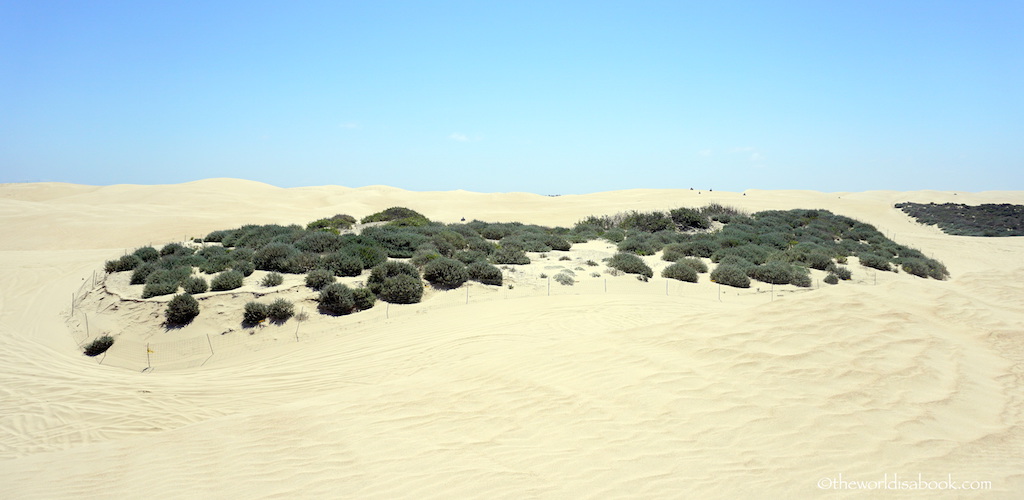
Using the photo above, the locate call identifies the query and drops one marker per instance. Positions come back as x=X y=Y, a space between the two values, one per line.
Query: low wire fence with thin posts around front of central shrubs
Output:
x=198 y=351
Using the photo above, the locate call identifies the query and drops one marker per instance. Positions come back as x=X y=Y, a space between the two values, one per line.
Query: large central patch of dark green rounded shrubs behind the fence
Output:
x=775 y=246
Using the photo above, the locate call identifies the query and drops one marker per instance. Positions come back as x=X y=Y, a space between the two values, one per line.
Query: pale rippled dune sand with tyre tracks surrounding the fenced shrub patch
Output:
x=593 y=396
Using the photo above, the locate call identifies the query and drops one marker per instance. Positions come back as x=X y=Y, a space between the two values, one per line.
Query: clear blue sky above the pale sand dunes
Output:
x=547 y=97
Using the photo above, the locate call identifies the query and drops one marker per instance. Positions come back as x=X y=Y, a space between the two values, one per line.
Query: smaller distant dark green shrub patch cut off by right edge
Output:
x=956 y=219
